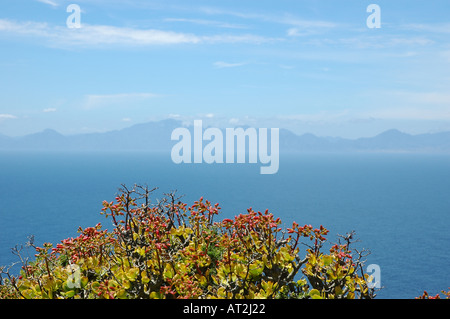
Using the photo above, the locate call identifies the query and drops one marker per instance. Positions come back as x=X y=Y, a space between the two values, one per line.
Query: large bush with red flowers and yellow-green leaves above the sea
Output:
x=170 y=250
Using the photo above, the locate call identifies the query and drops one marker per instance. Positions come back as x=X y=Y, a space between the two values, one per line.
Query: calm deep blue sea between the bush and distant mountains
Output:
x=398 y=204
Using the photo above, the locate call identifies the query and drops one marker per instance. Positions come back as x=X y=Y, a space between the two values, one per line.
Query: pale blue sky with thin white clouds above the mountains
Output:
x=306 y=65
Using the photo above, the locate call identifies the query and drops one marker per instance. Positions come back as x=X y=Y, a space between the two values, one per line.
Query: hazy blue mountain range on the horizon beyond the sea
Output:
x=155 y=136
